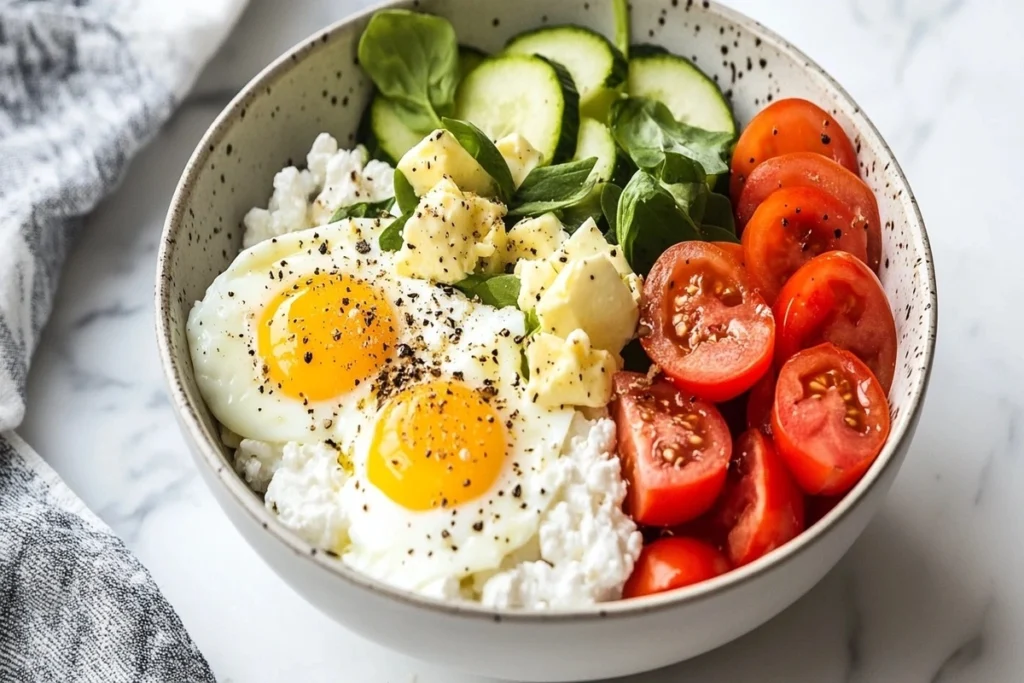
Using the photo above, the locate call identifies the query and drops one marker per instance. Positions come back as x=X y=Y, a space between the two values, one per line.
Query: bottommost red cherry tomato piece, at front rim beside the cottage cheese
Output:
x=671 y=564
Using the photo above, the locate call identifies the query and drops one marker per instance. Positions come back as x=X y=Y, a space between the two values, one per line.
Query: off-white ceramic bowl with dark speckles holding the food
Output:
x=317 y=88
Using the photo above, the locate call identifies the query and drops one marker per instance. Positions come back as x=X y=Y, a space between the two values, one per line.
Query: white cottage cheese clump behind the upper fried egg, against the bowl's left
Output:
x=333 y=178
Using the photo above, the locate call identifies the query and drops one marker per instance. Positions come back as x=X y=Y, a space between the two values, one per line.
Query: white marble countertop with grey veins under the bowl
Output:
x=931 y=592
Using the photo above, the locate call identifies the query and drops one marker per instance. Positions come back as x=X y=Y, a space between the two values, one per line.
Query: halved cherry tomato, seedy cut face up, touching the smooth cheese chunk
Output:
x=703 y=324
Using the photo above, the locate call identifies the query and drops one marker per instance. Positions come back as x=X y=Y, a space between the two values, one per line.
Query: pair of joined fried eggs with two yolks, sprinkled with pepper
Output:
x=312 y=337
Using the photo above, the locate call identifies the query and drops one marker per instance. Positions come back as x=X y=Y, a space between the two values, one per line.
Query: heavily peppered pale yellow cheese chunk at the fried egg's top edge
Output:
x=451 y=236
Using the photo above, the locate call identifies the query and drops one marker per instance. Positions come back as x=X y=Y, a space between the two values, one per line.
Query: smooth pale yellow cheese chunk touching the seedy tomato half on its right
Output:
x=589 y=294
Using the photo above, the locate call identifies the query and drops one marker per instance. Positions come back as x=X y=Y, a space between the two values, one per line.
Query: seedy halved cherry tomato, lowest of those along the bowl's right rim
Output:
x=830 y=420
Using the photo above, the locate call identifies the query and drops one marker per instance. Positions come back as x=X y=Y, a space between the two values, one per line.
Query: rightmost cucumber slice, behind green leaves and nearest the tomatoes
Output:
x=690 y=95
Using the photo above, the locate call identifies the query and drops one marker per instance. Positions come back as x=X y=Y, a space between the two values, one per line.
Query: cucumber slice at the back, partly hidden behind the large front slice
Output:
x=598 y=68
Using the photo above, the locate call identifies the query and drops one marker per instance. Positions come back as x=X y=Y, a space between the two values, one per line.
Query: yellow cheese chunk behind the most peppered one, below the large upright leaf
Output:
x=440 y=156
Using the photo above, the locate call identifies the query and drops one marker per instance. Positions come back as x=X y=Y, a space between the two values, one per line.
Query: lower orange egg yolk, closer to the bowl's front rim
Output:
x=436 y=446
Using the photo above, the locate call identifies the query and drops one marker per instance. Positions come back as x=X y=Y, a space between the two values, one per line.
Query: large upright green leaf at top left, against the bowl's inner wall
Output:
x=413 y=59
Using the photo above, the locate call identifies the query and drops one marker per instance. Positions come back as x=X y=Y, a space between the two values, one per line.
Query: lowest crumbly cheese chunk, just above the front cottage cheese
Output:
x=570 y=372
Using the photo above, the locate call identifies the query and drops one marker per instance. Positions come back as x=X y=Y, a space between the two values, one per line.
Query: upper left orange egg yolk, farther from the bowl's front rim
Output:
x=325 y=336
